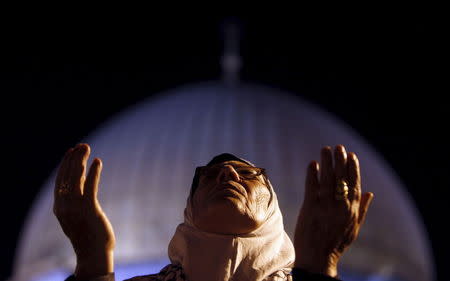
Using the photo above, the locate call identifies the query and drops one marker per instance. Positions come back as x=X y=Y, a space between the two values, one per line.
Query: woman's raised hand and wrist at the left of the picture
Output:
x=80 y=215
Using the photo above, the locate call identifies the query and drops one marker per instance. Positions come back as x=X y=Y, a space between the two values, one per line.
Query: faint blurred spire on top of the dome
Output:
x=231 y=60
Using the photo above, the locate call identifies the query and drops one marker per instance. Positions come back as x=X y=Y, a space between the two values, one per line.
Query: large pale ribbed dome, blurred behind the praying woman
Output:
x=150 y=153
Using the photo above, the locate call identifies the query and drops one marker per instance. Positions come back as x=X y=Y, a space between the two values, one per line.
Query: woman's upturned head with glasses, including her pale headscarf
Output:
x=233 y=227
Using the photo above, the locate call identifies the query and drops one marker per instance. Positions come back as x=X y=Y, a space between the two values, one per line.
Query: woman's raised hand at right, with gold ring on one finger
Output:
x=330 y=218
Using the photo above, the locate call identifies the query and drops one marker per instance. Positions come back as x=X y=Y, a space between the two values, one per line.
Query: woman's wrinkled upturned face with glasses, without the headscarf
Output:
x=227 y=201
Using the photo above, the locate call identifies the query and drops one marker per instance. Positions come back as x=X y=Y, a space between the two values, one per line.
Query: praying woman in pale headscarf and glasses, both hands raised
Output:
x=233 y=227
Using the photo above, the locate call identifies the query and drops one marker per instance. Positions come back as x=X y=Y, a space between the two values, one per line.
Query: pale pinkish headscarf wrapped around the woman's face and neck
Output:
x=264 y=254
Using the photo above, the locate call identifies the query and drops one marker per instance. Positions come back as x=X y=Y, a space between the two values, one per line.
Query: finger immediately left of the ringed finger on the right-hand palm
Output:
x=327 y=183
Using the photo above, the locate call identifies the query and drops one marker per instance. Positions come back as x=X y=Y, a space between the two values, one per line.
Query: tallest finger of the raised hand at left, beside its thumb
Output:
x=78 y=168
